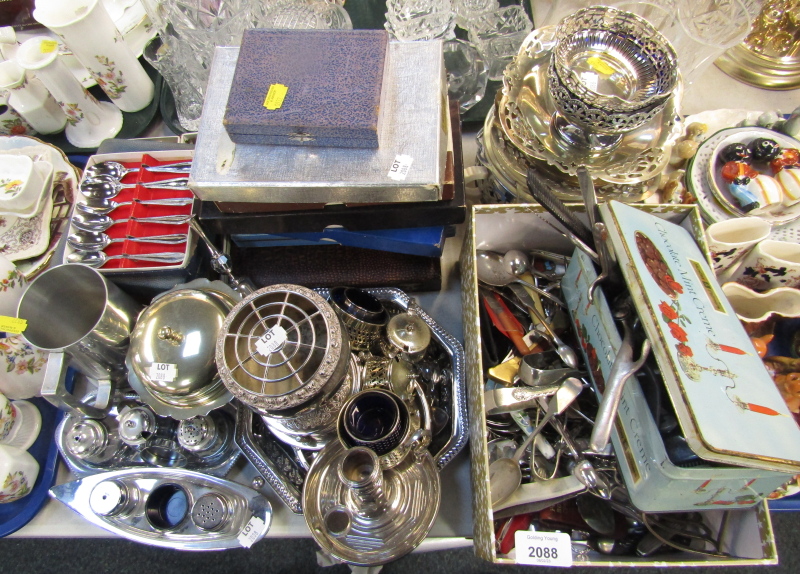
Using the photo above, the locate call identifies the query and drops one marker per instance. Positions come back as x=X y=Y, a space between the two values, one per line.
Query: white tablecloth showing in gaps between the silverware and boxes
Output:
x=715 y=90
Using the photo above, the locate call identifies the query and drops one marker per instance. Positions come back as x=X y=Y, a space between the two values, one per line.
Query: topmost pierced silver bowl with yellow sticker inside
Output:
x=613 y=61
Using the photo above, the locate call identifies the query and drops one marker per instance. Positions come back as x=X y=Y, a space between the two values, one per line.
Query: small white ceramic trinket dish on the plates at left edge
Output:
x=22 y=184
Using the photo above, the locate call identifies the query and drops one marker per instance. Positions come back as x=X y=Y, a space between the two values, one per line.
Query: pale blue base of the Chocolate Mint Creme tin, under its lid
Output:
x=654 y=482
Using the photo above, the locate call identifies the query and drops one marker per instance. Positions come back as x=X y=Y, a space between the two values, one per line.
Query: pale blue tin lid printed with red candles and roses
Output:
x=727 y=404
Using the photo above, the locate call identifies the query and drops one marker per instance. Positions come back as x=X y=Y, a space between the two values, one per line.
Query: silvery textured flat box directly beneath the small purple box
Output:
x=409 y=164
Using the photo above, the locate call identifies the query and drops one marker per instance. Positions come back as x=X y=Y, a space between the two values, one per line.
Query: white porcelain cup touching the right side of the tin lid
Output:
x=730 y=240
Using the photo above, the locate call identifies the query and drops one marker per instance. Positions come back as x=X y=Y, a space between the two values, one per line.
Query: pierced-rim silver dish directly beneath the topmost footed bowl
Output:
x=526 y=109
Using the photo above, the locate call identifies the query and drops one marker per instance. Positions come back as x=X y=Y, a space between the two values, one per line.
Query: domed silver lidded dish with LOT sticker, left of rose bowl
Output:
x=171 y=355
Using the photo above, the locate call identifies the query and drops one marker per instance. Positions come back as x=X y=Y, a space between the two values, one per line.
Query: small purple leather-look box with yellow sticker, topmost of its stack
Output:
x=333 y=83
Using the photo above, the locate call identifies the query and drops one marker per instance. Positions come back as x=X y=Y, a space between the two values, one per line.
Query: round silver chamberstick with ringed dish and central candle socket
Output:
x=364 y=515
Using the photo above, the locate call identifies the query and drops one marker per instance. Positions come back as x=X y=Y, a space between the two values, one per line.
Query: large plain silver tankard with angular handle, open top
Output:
x=84 y=320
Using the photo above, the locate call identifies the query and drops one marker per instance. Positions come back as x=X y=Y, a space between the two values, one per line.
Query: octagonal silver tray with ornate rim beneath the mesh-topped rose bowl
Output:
x=286 y=472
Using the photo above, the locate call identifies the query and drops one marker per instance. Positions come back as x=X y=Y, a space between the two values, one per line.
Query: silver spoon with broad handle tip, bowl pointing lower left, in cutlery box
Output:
x=505 y=475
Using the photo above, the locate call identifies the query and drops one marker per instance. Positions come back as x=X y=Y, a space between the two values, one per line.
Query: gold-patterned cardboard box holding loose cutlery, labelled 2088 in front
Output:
x=500 y=228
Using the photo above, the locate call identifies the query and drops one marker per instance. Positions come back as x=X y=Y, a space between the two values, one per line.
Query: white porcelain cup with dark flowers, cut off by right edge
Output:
x=769 y=265
